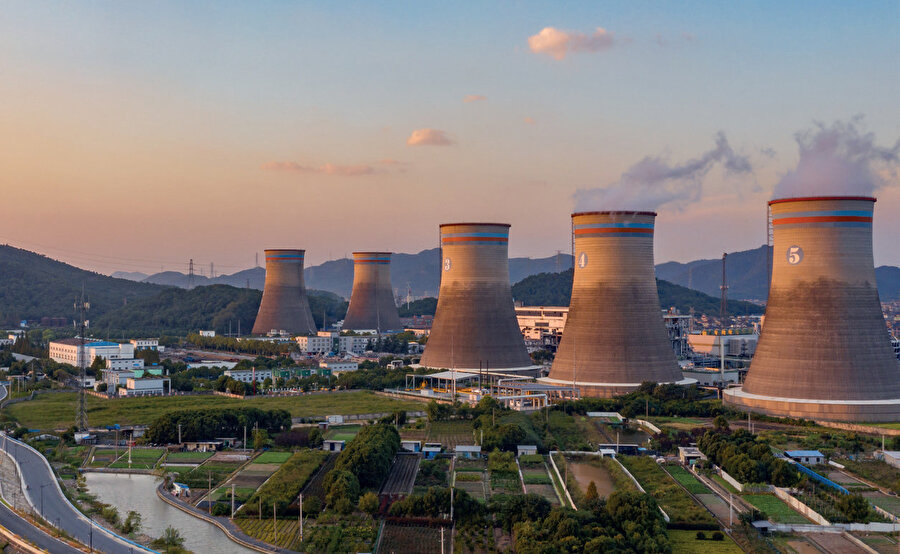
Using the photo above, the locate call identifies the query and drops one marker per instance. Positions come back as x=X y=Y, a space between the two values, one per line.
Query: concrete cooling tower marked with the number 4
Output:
x=615 y=337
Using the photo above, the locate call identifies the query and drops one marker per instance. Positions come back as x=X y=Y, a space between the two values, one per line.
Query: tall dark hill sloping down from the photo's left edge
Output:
x=33 y=286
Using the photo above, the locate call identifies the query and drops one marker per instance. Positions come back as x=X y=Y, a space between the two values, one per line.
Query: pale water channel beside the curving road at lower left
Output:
x=138 y=493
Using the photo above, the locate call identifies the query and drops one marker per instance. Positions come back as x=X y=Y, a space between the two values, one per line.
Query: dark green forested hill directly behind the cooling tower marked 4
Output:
x=555 y=289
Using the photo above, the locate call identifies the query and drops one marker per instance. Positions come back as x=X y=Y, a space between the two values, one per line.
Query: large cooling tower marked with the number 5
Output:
x=824 y=352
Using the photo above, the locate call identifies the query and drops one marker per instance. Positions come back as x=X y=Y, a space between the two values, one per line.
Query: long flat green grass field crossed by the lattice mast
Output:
x=54 y=411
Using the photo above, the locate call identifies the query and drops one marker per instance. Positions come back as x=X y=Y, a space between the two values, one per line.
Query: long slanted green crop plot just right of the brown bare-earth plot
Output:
x=669 y=495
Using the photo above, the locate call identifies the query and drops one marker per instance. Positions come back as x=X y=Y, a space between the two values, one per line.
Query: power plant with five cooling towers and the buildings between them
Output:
x=613 y=336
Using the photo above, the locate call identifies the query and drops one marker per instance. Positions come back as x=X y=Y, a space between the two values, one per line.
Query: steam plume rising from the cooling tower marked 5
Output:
x=839 y=160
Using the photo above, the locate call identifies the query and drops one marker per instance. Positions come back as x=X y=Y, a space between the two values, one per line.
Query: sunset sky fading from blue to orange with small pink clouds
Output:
x=137 y=136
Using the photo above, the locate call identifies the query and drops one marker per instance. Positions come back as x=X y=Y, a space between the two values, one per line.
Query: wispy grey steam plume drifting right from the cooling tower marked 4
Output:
x=653 y=181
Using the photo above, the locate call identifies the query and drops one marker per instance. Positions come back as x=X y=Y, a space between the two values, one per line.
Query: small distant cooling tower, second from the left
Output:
x=372 y=304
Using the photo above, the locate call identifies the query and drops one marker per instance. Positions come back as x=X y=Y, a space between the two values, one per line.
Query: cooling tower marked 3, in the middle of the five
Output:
x=475 y=322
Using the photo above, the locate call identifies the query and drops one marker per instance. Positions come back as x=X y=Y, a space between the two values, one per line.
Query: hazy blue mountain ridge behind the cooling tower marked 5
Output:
x=747 y=274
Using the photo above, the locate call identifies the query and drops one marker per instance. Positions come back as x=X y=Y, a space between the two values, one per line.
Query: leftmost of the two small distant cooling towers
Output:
x=284 y=304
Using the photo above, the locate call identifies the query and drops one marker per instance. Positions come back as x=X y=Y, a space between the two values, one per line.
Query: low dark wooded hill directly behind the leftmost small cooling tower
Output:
x=178 y=311
